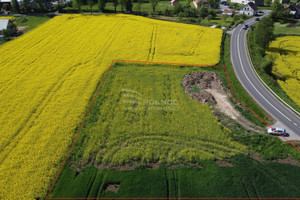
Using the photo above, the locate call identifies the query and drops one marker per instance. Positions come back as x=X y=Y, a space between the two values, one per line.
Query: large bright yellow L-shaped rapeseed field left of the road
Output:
x=48 y=75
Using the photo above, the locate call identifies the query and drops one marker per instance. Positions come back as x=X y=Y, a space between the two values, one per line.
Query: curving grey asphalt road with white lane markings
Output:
x=242 y=65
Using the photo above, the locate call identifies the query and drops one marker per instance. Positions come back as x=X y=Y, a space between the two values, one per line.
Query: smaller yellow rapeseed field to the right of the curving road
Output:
x=286 y=51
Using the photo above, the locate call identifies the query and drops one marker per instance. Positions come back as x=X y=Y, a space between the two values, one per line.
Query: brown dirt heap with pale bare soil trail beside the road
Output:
x=211 y=90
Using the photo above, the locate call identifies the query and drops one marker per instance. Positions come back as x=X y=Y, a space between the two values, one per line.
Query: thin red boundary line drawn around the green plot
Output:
x=97 y=93
